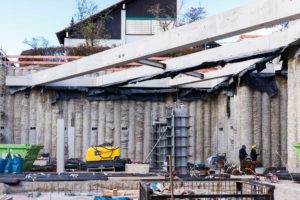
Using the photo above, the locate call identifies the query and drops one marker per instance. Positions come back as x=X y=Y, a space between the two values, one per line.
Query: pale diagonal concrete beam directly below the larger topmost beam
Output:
x=248 y=47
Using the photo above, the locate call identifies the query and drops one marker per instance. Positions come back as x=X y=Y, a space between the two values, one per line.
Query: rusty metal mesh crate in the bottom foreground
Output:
x=213 y=189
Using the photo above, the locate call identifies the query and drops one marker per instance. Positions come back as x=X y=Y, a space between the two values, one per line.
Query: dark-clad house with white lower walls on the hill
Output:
x=125 y=22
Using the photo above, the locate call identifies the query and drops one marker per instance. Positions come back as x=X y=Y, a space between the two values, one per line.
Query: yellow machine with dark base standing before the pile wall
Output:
x=103 y=156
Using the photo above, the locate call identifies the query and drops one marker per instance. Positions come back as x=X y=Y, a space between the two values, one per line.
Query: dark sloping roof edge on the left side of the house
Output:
x=61 y=34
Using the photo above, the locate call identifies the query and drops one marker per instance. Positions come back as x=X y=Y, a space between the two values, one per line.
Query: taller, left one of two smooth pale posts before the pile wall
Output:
x=60 y=146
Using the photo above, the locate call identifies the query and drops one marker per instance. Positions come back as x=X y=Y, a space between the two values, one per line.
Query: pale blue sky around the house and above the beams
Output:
x=24 y=19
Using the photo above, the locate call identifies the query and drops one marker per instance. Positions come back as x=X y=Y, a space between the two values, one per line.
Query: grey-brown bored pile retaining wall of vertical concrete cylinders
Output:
x=221 y=125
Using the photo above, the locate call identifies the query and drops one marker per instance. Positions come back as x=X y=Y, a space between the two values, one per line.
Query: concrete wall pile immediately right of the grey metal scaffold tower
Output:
x=192 y=132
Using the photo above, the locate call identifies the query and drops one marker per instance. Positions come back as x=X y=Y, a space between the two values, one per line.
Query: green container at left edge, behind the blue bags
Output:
x=28 y=152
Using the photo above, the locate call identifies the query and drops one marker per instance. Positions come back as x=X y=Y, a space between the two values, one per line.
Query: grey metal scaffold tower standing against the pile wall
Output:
x=170 y=137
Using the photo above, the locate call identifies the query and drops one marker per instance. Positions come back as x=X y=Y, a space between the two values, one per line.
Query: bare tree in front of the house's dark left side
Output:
x=91 y=29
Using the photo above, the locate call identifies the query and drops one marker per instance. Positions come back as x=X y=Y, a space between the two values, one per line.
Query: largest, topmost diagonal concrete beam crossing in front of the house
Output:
x=262 y=13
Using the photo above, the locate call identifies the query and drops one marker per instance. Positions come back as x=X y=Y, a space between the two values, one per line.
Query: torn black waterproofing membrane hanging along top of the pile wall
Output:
x=251 y=77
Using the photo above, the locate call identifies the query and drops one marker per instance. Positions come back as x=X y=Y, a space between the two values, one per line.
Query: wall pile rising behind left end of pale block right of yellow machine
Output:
x=131 y=142
